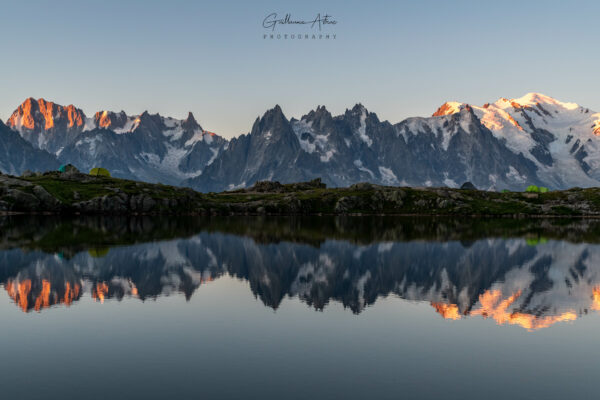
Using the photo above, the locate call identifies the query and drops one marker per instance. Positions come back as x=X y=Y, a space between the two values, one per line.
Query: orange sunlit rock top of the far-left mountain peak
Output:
x=41 y=115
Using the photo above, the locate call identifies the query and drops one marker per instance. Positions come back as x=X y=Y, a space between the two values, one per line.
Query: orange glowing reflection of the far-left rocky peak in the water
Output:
x=27 y=298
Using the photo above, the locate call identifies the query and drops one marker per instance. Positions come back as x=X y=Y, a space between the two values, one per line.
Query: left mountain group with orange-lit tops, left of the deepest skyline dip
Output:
x=145 y=147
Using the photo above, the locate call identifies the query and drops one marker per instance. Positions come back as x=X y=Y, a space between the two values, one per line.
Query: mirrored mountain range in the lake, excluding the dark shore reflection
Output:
x=509 y=281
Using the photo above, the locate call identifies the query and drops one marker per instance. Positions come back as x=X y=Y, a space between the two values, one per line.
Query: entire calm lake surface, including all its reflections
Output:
x=299 y=308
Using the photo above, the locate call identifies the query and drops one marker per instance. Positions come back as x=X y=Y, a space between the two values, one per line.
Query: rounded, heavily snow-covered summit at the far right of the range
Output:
x=561 y=139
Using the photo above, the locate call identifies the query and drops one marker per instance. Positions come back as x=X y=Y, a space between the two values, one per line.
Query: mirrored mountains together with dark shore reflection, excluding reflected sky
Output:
x=530 y=273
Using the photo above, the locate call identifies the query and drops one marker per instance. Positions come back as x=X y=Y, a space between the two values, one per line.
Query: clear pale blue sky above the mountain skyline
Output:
x=398 y=58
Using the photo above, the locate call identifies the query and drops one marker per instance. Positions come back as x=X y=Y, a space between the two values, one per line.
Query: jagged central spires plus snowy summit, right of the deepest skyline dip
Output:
x=509 y=144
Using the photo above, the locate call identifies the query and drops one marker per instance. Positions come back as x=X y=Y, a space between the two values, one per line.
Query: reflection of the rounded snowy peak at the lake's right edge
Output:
x=549 y=283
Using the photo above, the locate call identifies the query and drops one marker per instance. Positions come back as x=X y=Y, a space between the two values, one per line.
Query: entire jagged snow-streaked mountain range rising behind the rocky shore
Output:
x=508 y=144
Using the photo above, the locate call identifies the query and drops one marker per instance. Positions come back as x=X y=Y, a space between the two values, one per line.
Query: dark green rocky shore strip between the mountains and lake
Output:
x=76 y=193
